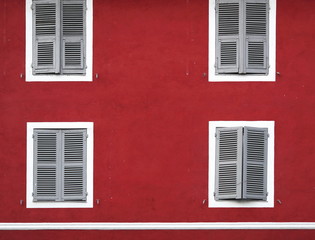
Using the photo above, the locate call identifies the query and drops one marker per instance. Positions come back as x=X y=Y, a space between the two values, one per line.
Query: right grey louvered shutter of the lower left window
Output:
x=74 y=164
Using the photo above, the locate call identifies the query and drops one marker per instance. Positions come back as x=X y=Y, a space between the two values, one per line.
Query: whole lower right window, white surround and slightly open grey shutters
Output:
x=241 y=164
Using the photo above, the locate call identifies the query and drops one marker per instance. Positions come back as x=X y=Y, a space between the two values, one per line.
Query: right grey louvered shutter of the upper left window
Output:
x=73 y=47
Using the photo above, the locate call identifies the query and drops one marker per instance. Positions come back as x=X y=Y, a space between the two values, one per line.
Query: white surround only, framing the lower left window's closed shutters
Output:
x=29 y=174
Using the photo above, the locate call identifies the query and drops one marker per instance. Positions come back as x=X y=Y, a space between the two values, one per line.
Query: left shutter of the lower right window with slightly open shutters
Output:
x=228 y=163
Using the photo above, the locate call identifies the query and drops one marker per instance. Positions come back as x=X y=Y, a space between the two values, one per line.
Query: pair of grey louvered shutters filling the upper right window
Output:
x=242 y=36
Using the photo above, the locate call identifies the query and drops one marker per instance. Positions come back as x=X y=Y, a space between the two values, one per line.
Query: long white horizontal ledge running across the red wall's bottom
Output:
x=159 y=226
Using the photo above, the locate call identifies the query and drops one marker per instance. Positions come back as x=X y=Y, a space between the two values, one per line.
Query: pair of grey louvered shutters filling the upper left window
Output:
x=59 y=36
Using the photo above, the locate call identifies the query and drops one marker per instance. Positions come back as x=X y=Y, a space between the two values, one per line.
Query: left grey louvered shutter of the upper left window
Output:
x=46 y=36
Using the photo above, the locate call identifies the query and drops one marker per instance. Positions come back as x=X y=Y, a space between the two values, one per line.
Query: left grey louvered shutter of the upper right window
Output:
x=228 y=46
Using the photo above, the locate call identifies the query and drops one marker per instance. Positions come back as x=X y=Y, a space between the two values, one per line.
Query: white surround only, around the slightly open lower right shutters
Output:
x=270 y=166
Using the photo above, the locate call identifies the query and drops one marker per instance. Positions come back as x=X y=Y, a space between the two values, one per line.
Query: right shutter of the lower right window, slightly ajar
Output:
x=255 y=163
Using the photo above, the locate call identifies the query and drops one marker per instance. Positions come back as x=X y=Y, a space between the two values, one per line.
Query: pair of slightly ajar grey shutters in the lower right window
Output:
x=241 y=163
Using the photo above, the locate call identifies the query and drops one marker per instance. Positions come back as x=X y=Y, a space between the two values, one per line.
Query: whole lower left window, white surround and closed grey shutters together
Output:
x=59 y=164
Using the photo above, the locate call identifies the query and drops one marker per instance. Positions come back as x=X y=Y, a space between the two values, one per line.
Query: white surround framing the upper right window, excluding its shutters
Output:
x=271 y=77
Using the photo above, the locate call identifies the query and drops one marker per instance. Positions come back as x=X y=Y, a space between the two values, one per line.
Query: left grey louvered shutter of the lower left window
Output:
x=46 y=165
